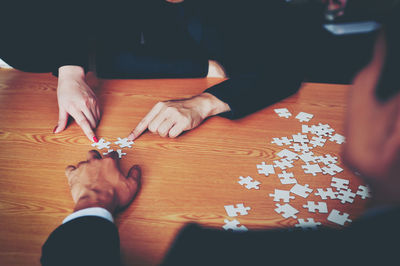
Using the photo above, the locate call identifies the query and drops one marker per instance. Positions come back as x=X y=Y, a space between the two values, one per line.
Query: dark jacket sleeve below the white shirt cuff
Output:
x=88 y=240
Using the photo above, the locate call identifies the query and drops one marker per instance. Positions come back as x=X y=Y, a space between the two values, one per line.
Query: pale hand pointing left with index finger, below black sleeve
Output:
x=171 y=118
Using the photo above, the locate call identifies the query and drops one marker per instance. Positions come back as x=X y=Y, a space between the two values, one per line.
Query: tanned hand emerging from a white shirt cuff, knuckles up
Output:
x=99 y=182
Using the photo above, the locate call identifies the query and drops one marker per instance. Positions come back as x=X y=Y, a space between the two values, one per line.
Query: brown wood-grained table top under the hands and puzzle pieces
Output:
x=188 y=179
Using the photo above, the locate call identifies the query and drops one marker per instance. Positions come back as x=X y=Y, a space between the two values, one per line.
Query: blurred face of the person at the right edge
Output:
x=373 y=131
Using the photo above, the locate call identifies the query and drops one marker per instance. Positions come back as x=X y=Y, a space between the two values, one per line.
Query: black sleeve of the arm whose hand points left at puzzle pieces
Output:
x=265 y=59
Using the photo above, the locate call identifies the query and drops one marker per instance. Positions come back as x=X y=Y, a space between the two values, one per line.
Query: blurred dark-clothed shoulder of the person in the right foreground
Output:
x=368 y=241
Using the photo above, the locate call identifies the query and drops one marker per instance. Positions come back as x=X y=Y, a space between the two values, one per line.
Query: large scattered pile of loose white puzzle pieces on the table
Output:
x=298 y=148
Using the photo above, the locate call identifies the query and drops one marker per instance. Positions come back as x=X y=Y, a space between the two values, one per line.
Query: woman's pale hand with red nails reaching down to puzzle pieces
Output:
x=75 y=98
